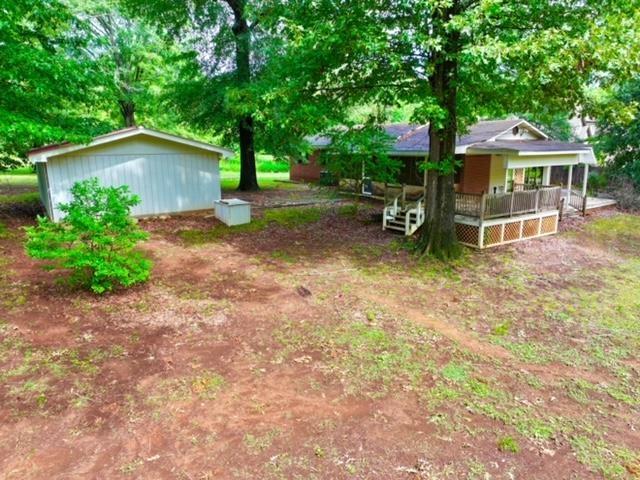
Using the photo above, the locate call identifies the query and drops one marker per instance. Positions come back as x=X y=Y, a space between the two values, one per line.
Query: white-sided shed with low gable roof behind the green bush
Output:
x=170 y=174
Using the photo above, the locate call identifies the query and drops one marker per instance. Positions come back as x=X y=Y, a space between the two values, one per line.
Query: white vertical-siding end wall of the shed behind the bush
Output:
x=168 y=178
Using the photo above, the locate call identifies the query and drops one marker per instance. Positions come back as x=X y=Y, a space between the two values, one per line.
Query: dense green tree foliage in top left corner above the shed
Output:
x=46 y=92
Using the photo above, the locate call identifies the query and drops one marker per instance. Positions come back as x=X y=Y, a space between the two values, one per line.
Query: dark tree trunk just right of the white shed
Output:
x=242 y=35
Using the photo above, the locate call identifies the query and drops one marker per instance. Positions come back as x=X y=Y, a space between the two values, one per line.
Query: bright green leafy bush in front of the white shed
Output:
x=96 y=240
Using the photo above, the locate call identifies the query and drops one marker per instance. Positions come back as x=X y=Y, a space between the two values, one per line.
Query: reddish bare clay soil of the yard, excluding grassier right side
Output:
x=135 y=411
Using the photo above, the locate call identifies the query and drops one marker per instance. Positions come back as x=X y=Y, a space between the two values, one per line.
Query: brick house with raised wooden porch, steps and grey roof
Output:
x=503 y=188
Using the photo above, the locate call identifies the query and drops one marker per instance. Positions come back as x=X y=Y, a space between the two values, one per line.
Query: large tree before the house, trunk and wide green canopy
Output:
x=458 y=61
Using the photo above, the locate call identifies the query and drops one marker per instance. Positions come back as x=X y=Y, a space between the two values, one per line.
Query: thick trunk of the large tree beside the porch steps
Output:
x=438 y=234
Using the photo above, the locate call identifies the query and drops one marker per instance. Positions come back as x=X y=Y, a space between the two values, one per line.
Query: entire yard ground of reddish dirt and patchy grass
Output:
x=313 y=345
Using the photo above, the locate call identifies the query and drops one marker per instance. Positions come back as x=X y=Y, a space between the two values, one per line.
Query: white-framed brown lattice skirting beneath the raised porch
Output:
x=505 y=230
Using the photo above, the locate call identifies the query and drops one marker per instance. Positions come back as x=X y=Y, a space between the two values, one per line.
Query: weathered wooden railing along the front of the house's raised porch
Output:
x=498 y=205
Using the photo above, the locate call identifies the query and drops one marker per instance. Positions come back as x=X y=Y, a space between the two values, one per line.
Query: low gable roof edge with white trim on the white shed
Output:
x=43 y=153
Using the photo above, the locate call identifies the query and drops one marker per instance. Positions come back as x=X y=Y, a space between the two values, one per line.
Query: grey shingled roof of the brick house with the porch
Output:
x=414 y=139
